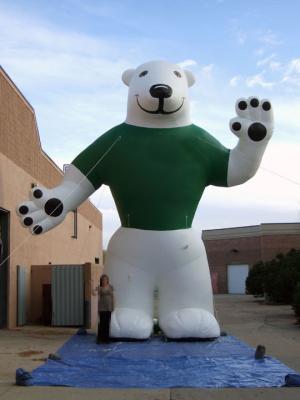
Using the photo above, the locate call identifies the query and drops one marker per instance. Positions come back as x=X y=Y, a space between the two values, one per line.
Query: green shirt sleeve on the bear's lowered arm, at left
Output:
x=93 y=162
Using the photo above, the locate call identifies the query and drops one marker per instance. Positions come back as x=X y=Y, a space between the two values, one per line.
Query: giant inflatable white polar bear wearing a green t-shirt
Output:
x=157 y=165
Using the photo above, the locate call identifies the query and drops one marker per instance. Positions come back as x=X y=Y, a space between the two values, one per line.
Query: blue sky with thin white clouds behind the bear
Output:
x=67 y=58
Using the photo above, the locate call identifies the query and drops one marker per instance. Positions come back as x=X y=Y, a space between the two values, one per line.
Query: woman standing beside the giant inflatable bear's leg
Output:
x=105 y=308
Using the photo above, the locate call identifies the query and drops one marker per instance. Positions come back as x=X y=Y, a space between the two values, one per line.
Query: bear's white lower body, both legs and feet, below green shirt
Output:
x=175 y=262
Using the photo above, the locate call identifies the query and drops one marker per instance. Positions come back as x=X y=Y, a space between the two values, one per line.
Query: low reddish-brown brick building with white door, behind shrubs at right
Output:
x=231 y=252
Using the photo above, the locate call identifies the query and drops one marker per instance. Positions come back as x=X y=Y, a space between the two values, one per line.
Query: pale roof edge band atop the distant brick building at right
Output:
x=264 y=229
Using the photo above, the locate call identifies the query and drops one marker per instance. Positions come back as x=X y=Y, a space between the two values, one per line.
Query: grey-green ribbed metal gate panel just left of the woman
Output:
x=68 y=295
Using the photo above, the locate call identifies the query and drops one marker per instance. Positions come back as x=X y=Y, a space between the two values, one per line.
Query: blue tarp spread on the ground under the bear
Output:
x=225 y=362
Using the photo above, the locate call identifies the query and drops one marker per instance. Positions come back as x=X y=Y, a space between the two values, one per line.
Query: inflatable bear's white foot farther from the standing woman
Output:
x=190 y=323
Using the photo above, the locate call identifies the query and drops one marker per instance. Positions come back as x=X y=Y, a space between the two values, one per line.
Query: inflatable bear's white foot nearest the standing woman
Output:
x=130 y=323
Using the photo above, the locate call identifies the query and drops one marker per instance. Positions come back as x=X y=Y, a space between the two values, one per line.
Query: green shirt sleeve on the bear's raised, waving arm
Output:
x=218 y=158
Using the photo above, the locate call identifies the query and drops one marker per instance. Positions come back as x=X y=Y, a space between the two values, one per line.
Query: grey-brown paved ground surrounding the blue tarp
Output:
x=243 y=316
